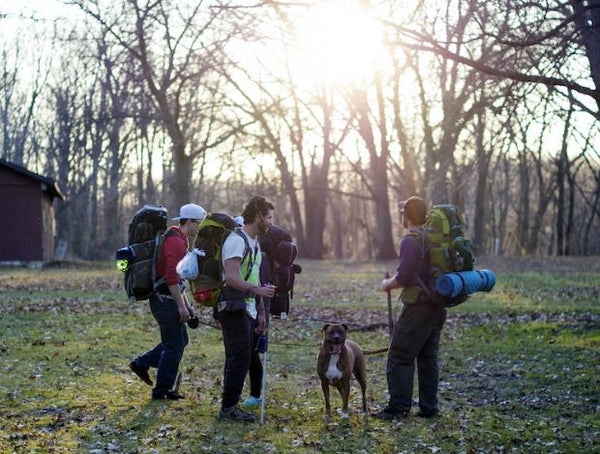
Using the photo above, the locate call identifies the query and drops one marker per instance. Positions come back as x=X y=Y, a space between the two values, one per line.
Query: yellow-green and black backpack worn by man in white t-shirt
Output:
x=212 y=232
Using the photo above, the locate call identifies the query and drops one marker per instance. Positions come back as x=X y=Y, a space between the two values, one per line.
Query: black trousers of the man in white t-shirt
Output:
x=237 y=336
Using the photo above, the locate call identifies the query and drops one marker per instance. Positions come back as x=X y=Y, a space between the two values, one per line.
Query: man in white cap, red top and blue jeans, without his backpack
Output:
x=170 y=307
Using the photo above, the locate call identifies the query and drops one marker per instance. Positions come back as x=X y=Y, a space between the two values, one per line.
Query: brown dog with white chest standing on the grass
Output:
x=338 y=359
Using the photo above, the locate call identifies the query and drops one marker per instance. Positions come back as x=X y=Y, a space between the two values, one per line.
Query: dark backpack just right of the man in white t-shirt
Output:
x=281 y=251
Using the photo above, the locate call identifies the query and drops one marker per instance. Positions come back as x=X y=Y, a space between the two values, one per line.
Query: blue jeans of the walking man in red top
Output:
x=167 y=355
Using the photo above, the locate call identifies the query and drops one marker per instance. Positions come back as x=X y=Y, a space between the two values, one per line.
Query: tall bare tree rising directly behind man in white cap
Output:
x=175 y=48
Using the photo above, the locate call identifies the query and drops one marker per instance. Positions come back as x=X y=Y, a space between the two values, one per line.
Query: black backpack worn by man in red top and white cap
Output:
x=147 y=231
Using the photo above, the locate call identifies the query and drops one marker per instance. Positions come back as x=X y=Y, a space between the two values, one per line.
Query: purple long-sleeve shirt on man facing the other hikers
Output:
x=413 y=264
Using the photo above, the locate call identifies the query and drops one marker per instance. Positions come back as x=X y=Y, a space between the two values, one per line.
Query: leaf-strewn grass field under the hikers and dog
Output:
x=519 y=367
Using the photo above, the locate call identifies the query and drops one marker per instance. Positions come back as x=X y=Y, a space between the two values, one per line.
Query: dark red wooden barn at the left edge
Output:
x=27 y=202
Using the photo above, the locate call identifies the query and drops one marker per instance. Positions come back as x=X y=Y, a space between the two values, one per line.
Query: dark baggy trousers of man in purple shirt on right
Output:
x=416 y=336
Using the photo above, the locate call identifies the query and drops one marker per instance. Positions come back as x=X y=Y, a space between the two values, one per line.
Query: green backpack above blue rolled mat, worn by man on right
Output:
x=448 y=251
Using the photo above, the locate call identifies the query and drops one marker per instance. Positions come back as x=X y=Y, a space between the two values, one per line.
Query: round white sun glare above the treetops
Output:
x=337 y=42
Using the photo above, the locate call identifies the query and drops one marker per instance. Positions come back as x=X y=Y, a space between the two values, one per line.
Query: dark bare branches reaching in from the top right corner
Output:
x=556 y=33
